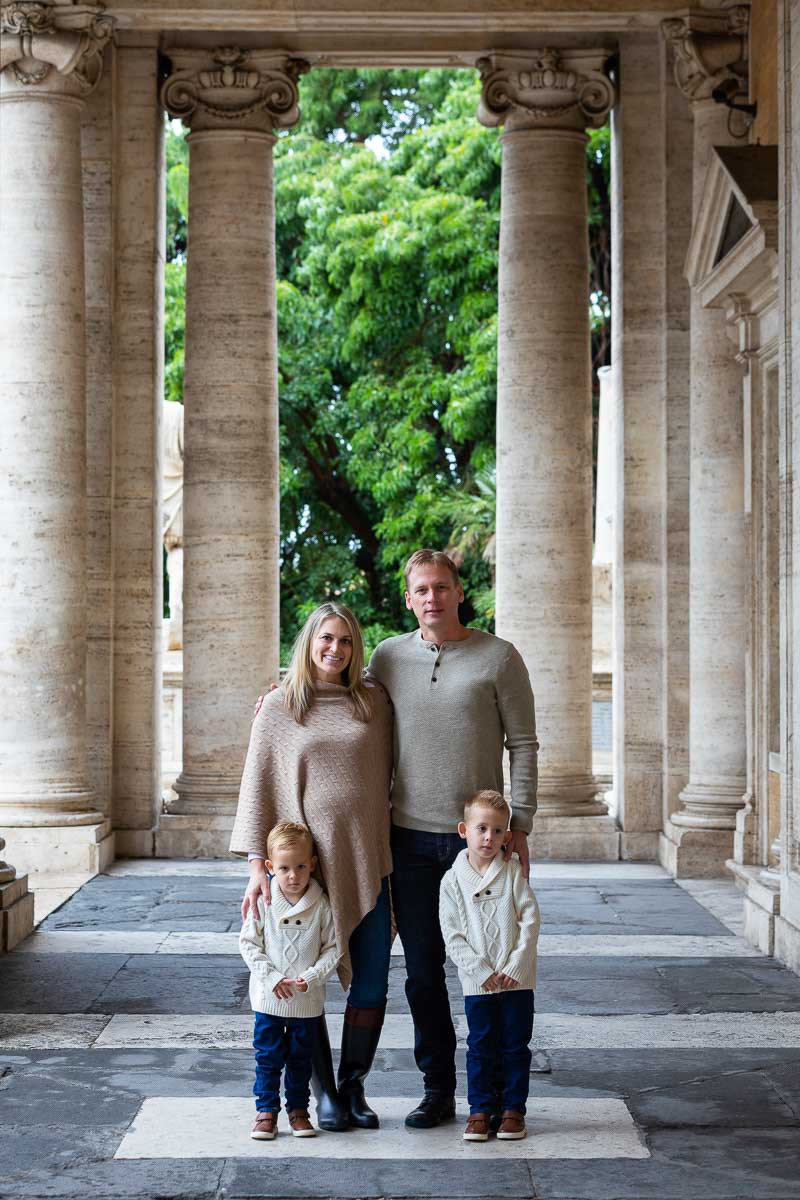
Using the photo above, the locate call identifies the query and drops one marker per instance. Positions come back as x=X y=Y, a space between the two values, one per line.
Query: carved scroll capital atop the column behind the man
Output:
x=562 y=89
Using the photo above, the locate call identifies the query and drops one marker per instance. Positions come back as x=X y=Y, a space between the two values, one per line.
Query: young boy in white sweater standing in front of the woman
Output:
x=291 y=951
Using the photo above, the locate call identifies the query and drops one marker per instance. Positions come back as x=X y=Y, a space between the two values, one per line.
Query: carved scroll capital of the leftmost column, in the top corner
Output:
x=52 y=47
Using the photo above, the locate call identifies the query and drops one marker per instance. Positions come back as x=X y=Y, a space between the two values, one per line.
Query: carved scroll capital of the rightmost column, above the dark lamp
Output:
x=711 y=50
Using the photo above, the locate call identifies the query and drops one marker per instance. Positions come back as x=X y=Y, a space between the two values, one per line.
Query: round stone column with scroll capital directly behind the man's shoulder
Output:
x=545 y=103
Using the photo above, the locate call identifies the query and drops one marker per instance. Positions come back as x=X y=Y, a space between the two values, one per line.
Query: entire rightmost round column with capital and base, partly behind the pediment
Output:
x=711 y=51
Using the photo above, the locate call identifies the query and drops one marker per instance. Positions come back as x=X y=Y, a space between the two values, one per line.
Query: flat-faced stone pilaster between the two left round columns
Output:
x=140 y=215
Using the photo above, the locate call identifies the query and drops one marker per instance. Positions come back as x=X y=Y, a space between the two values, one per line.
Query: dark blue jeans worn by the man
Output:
x=422 y=860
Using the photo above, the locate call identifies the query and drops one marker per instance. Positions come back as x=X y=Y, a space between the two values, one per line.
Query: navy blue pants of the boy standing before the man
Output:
x=501 y=1028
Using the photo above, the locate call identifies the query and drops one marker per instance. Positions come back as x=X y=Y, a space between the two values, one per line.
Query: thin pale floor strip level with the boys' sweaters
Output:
x=105 y=941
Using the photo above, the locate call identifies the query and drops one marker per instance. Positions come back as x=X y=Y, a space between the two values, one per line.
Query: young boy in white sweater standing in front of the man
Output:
x=490 y=923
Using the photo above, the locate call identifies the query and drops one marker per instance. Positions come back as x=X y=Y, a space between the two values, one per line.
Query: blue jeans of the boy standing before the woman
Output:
x=282 y=1042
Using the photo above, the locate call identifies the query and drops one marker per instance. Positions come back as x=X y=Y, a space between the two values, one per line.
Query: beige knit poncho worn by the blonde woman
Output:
x=332 y=773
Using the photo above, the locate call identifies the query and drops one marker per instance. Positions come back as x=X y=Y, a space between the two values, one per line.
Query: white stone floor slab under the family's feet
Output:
x=219 y=1127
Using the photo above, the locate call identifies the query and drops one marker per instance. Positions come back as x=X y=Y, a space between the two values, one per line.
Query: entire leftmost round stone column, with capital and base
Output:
x=52 y=59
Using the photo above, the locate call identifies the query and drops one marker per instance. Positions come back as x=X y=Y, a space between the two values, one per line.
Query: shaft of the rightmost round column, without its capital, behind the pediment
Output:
x=718 y=549
